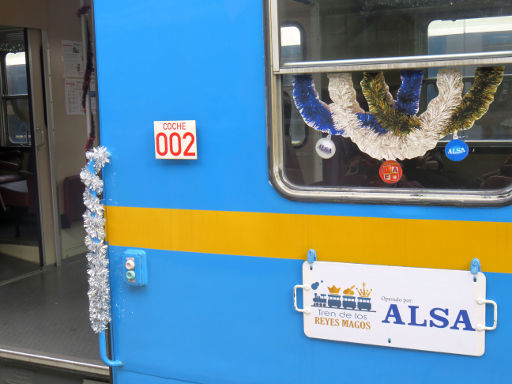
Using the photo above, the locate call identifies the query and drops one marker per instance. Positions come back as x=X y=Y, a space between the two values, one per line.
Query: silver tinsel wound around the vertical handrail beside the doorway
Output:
x=94 y=224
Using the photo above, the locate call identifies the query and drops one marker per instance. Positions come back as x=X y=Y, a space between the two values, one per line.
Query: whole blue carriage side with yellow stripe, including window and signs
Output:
x=243 y=134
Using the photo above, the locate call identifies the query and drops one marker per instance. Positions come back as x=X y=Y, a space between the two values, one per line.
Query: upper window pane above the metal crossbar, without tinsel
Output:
x=372 y=29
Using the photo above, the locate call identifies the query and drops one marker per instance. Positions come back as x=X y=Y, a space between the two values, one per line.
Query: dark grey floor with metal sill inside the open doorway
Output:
x=44 y=319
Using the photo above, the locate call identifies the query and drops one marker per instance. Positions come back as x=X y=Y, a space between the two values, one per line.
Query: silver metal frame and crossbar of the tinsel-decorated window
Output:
x=371 y=195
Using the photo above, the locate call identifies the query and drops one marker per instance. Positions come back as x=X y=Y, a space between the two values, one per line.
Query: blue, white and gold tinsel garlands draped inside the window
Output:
x=392 y=129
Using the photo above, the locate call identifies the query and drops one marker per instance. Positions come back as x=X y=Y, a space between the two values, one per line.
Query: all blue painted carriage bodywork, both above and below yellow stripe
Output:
x=201 y=317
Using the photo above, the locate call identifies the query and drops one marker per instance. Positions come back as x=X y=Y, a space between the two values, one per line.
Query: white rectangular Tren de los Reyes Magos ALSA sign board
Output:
x=415 y=308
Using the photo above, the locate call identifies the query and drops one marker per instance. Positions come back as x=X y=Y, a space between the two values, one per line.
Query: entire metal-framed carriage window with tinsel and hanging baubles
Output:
x=402 y=101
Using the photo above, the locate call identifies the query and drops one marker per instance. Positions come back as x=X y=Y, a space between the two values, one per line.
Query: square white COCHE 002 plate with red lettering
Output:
x=175 y=140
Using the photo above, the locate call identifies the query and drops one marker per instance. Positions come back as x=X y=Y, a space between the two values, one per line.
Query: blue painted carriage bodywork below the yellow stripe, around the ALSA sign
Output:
x=230 y=319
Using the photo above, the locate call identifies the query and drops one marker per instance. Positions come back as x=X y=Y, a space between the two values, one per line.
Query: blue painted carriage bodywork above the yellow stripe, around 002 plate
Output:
x=202 y=60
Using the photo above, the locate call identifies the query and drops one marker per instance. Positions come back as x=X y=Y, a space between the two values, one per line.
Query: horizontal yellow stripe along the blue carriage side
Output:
x=405 y=242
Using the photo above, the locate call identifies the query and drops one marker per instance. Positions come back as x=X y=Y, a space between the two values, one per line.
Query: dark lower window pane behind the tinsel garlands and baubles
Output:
x=488 y=165
